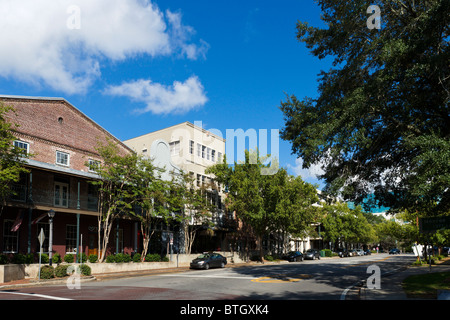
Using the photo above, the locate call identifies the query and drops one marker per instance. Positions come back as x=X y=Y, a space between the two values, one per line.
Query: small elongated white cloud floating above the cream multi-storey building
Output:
x=159 y=99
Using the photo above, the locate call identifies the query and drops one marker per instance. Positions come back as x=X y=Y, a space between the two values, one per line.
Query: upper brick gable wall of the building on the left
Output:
x=55 y=125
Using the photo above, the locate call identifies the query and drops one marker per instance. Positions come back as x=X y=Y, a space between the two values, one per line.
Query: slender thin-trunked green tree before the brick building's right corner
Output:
x=128 y=186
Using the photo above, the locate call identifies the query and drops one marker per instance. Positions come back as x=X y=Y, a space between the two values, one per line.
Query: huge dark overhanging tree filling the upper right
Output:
x=380 y=123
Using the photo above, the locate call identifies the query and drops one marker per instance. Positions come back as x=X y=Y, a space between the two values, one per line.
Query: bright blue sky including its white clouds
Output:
x=138 y=66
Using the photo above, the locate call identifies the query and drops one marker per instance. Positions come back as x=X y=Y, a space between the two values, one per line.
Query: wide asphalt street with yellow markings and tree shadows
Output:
x=325 y=279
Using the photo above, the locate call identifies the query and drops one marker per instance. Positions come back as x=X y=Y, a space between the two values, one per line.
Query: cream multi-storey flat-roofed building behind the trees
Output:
x=192 y=149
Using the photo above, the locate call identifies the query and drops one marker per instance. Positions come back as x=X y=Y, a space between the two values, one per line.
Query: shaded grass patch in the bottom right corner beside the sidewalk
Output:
x=425 y=286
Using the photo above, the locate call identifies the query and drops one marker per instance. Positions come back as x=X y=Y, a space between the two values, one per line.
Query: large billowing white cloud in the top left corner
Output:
x=49 y=42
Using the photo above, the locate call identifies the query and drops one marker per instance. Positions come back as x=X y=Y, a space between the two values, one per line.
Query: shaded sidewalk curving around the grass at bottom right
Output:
x=391 y=284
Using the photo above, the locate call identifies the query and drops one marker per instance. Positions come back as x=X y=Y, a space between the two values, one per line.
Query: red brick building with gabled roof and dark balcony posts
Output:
x=62 y=141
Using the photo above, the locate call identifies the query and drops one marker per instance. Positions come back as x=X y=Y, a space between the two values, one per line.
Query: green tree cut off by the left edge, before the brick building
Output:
x=11 y=157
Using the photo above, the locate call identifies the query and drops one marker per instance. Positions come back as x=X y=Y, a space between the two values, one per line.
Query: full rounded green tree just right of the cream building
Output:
x=265 y=203
